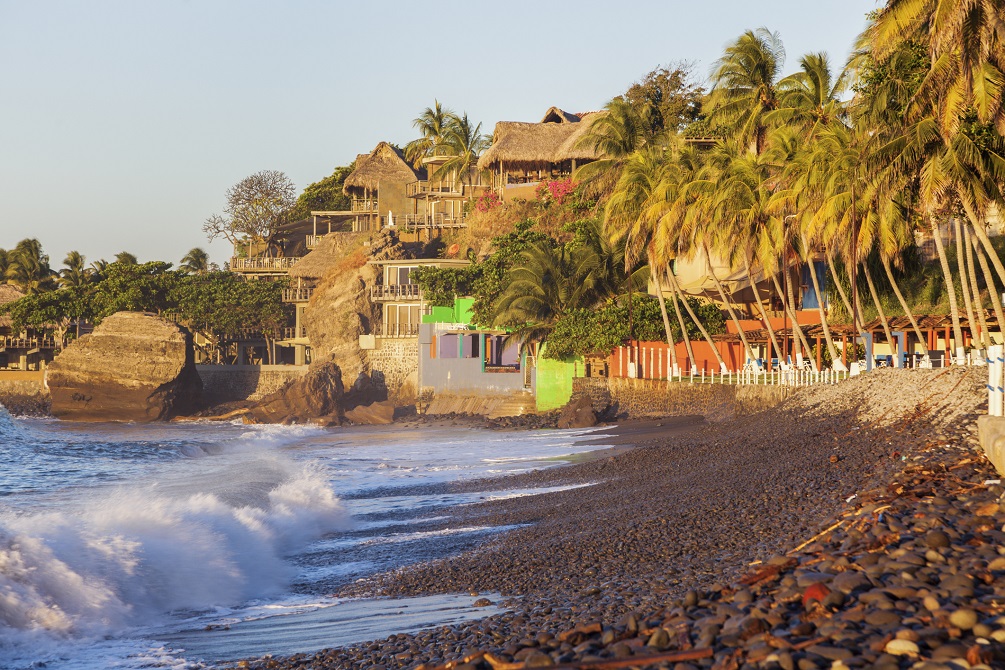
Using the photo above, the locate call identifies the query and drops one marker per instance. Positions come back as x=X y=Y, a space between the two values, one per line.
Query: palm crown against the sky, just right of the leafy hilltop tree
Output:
x=745 y=89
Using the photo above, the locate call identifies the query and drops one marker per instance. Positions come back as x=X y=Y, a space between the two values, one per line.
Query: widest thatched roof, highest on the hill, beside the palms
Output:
x=552 y=141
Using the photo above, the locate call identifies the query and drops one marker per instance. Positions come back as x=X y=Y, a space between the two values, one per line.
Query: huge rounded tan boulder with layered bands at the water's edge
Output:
x=134 y=367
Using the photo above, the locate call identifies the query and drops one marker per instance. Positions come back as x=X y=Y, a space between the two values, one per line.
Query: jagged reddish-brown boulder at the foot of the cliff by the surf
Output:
x=315 y=398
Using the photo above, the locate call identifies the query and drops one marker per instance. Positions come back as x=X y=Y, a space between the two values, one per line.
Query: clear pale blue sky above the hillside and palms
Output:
x=124 y=123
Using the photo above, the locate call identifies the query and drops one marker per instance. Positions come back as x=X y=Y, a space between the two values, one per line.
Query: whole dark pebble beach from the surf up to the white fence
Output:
x=854 y=526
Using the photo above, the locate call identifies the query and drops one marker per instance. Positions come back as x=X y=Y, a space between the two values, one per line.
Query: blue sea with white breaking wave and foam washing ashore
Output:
x=128 y=546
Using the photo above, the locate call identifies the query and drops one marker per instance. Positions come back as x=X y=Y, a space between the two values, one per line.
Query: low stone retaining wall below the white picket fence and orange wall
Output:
x=652 y=398
